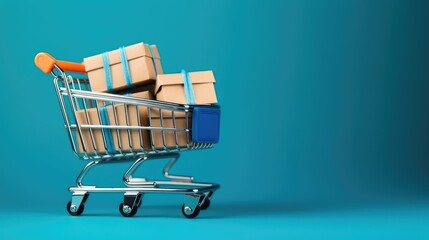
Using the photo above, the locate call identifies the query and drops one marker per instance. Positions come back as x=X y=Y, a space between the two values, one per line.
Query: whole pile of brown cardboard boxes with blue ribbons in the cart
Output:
x=137 y=69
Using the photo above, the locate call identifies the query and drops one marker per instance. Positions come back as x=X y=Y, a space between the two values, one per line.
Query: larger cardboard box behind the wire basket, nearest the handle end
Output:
x=139 y=139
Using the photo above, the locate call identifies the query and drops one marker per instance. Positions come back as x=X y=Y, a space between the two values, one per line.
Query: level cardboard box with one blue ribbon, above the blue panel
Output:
x=170 y=87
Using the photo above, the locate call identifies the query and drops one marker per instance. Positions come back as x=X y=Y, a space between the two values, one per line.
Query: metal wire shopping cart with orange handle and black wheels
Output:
x=174 y=127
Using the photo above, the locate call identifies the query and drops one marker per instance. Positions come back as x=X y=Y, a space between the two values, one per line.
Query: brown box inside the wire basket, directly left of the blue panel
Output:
x=171 y=138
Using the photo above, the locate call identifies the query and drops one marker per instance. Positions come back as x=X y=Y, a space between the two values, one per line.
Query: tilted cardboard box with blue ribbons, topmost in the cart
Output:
x=108 y=73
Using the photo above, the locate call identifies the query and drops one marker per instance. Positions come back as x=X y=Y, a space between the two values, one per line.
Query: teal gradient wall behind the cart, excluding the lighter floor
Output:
x=321 y=101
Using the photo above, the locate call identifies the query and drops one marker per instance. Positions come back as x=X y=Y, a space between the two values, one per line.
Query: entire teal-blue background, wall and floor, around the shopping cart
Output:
x=324 y=128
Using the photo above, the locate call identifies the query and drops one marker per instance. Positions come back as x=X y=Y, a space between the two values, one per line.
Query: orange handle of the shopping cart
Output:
x=46 y=63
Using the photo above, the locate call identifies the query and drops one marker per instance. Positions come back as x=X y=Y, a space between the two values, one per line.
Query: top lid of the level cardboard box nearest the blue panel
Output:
x=176 y=78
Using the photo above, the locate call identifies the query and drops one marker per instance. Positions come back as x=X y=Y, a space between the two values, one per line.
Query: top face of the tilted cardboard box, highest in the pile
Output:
x=133 y=51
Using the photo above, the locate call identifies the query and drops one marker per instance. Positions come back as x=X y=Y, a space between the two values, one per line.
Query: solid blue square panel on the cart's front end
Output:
x=205 y=124
